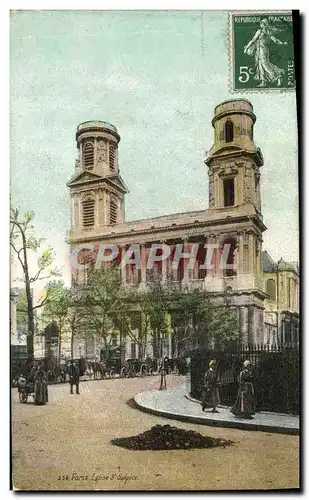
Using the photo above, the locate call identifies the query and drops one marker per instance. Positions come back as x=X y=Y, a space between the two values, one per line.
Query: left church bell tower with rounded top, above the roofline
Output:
x=97 y=189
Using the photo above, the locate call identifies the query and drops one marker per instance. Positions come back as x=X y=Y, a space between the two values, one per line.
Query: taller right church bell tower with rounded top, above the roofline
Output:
x=234 y=160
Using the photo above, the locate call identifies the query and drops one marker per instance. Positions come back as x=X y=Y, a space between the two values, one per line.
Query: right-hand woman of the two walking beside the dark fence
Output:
x=245 y=404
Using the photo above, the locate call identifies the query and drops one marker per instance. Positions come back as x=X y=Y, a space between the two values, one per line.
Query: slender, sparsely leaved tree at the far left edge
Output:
x=23 y=242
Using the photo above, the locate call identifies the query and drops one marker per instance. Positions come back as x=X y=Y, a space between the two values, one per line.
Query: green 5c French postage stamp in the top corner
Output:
x=261 y=51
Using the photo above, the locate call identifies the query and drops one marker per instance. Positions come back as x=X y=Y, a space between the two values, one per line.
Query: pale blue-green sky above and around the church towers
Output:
x=157 y=77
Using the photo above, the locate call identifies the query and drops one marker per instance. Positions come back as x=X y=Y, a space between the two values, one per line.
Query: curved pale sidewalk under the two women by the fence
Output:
x=174 y=403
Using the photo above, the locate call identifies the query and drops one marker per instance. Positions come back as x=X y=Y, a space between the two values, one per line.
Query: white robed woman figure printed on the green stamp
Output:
x=265 y=71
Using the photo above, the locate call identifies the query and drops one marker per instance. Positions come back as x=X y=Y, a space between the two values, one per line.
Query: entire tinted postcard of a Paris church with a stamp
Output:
x=154 y=239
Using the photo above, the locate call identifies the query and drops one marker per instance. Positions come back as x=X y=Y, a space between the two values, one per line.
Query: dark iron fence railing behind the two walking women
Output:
x=275 y=371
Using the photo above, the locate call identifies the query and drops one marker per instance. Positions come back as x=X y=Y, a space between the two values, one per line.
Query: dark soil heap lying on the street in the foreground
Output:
x=166 y=437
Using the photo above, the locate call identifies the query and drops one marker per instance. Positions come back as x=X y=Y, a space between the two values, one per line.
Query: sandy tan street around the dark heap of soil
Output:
x=65 y=445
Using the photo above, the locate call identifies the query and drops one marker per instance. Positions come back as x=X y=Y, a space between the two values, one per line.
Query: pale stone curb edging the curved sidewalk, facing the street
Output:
x=233 y=424
